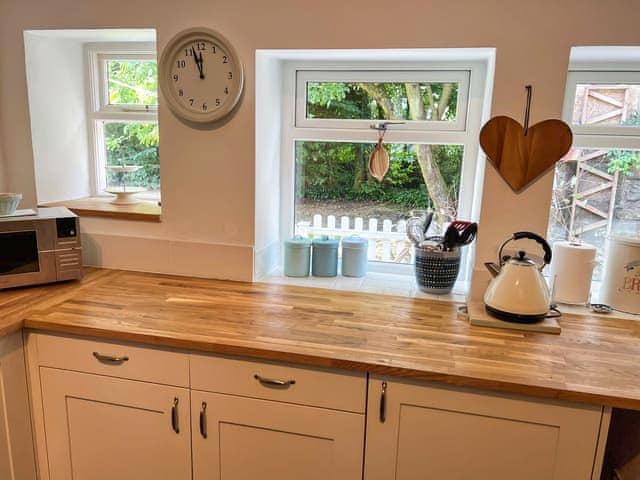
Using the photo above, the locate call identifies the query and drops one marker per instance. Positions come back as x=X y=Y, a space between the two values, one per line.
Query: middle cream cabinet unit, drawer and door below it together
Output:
x=259 y=419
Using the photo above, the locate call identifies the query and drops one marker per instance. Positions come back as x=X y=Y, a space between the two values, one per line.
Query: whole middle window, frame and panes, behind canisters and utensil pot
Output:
x=432 y=147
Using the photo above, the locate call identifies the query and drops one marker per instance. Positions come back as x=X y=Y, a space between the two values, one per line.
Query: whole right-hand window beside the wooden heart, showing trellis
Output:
x=596 y=185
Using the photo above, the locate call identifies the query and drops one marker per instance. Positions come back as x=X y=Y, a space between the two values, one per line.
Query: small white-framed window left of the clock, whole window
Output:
x=123 y=118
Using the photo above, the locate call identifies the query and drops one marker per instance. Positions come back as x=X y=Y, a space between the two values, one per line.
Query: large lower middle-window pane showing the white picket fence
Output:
x=335 y=195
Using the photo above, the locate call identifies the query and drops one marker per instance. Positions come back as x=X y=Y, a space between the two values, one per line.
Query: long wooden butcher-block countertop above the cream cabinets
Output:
x=594 y=360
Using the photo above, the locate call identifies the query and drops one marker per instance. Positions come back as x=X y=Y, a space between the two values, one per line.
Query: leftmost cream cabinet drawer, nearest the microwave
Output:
x=114 y=359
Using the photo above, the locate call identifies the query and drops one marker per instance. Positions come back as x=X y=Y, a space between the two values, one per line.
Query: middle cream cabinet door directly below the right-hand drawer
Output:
x=239 y=438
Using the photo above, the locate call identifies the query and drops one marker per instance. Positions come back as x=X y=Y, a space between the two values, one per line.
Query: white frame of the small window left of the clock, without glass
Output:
x=99 y=109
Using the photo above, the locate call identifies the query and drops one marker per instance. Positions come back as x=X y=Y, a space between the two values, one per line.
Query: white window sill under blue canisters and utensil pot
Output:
x=373 y=283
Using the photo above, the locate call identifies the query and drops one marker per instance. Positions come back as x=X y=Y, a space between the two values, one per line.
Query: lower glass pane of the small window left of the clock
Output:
x=133 y=143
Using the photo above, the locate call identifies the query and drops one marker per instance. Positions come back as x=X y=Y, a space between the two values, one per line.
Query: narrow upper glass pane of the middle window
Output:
x=382 y=101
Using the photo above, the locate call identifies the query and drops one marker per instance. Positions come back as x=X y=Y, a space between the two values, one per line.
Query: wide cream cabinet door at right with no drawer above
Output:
x=426 y=432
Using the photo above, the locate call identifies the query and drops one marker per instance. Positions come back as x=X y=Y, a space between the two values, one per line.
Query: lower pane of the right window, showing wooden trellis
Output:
x=596 y=191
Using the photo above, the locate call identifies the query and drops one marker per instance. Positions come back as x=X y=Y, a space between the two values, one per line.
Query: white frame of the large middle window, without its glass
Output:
x=359 y=131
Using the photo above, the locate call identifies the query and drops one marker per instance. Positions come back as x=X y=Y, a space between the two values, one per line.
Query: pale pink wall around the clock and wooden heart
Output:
x=207 y=175
